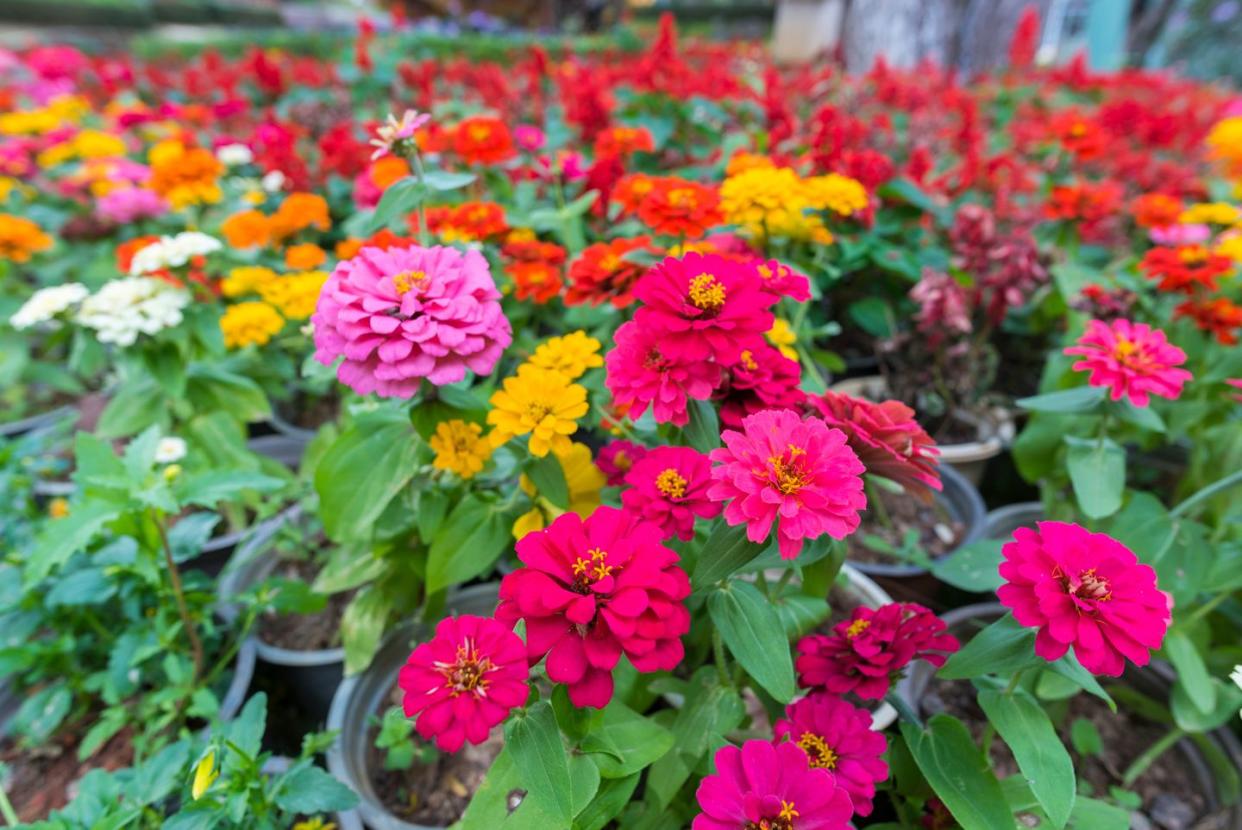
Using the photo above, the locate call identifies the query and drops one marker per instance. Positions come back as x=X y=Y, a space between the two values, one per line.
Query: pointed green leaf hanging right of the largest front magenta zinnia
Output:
x=753 y=633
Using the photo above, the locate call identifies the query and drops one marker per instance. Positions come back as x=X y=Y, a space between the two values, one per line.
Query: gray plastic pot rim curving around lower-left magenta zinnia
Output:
x=360 y=696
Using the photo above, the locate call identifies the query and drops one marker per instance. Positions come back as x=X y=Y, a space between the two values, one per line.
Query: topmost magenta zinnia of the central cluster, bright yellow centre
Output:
x=705 y=308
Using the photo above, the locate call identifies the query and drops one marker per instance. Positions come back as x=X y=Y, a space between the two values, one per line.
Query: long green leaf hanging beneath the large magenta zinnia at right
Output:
x=1025 y=727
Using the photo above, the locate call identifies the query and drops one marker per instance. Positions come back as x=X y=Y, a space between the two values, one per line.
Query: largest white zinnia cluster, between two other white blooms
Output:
x=125 y=309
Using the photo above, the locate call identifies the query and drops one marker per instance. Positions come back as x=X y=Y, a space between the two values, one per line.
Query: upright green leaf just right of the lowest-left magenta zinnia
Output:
x=540 y=755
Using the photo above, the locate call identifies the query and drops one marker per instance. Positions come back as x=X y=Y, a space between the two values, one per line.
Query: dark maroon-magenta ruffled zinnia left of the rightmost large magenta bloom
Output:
x=866 y=653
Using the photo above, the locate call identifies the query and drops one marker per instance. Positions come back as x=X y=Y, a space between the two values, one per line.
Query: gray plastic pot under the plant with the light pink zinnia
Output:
x=314 y=675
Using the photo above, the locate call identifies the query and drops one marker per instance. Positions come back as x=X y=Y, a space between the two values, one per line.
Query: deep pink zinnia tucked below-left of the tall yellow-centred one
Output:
x=641 y=373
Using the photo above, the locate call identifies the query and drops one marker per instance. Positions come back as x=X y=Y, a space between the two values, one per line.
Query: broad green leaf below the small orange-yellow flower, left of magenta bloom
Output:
x=471 y=540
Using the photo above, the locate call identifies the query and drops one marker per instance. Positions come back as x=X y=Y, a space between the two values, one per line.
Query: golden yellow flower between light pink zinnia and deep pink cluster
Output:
x=540 y=403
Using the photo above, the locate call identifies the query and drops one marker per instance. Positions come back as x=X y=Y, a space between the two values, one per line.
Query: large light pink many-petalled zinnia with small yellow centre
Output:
x=404 y=315
